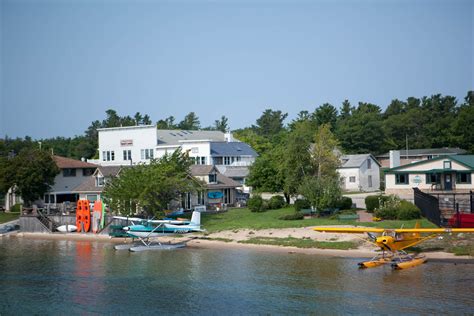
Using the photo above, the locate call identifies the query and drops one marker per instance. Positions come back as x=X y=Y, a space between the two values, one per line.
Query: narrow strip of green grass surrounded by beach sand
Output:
x=300 y=243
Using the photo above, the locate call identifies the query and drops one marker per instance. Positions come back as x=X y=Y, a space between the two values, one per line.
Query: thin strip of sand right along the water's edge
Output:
x=205 y=243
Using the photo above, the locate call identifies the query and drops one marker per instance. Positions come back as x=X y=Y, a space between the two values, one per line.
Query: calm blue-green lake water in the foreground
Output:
x=58 y=277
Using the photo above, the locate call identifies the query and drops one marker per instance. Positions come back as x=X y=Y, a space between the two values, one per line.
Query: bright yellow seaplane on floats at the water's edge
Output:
x=392 y=242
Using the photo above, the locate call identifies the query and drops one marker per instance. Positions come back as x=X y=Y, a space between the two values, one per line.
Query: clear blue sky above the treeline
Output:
x=65 y=62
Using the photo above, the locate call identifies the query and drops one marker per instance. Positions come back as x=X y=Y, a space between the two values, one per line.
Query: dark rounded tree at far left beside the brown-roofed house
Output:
x=31 y=173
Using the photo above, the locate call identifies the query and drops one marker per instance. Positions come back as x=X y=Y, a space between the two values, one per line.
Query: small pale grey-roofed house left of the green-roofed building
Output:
x=360 y=173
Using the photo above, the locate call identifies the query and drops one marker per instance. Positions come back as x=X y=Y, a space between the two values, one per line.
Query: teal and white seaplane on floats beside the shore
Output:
x=147 y=232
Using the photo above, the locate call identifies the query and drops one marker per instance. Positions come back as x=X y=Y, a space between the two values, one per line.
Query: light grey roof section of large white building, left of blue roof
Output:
x=175 y=137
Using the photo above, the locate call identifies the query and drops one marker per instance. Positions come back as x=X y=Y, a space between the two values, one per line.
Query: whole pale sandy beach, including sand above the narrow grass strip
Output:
x=230 y=240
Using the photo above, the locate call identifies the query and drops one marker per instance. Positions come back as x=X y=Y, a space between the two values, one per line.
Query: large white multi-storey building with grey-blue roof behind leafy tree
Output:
x=138 y=144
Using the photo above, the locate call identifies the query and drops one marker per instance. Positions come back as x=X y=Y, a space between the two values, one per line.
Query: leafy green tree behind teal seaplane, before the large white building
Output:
x=151 y=187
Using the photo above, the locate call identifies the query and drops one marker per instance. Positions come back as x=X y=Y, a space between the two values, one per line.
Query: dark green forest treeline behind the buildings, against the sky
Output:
x=427 y=122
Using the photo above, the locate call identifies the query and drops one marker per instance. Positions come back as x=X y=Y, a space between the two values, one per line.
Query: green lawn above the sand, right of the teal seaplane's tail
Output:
x=235 y=219
